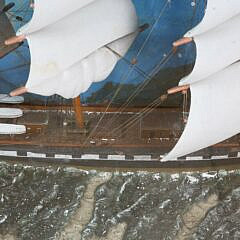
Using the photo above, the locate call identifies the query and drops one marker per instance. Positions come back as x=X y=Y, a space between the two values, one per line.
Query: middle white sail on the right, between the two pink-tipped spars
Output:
x=216 y=49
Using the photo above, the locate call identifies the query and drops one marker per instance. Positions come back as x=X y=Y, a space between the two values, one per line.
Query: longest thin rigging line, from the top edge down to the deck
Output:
x=130 y=71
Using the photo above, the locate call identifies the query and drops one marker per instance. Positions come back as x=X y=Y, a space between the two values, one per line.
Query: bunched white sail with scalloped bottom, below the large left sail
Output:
x=78 y=78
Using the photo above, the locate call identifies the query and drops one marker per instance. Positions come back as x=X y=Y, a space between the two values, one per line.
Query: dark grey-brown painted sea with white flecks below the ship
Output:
x=49 y=202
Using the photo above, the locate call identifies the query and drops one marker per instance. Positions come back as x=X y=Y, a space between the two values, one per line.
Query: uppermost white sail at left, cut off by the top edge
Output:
x=48 y=12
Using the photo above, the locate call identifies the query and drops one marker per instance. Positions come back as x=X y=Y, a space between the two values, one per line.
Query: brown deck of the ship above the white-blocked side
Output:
x=57 y=127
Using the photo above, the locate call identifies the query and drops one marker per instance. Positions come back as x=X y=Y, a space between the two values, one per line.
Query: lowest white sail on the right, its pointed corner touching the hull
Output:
x=214 y=114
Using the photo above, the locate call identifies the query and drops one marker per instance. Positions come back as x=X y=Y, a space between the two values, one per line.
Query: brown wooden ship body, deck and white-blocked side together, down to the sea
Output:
x=54 y=137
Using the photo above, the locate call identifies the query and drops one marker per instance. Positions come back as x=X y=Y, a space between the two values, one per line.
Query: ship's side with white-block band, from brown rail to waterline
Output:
x=120 y=158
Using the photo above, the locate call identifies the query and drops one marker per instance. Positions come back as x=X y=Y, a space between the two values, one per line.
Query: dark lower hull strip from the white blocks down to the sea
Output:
x=124 y=164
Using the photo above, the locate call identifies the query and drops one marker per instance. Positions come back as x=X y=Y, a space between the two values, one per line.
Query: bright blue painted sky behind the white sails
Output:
x=168 y=19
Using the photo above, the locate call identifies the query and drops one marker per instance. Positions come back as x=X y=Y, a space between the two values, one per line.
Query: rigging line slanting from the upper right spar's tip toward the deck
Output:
x=141 y=87
